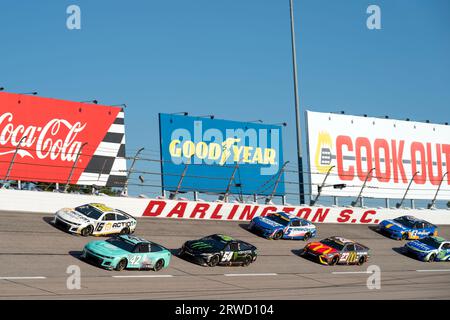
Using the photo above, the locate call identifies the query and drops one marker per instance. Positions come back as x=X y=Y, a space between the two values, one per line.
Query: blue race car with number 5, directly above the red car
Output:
x=281 y=225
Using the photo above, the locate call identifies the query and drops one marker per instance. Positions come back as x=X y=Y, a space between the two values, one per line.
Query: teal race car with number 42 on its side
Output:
x=126 y=252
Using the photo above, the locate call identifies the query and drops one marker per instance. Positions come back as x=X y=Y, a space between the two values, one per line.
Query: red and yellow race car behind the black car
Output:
x=337 y=250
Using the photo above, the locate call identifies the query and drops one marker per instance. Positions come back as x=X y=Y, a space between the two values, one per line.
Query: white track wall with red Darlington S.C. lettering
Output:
x=48 y=202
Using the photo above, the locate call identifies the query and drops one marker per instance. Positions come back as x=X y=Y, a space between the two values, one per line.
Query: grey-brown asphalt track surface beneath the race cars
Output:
x=34 y=257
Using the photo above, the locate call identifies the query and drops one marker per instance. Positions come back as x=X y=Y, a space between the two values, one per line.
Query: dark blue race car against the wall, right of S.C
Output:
x=407 y=228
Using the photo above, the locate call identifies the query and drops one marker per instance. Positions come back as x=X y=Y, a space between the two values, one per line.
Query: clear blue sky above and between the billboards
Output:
x=231 y=59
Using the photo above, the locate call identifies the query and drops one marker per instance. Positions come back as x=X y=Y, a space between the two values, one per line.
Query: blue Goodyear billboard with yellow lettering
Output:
x=216 y=156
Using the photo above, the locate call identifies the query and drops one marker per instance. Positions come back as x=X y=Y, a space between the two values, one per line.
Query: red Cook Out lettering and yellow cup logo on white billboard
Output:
x=392 y=160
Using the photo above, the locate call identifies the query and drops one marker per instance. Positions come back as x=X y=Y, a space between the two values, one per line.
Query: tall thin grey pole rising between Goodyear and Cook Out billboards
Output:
x=297 y=109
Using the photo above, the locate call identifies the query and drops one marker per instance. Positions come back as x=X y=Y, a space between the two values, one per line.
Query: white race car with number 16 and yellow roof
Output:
x=94 y=219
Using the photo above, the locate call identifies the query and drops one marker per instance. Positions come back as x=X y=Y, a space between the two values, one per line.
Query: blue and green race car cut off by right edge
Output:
x=429 y=249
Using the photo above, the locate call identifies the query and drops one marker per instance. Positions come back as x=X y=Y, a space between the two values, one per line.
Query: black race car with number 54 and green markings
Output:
x=218 y=249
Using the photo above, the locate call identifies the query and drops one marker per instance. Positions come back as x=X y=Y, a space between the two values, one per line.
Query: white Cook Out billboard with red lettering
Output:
x=391 y=153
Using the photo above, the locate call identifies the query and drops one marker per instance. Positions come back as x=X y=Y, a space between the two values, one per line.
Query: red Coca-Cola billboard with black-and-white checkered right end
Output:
x=49 y=137
